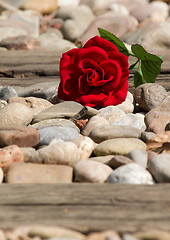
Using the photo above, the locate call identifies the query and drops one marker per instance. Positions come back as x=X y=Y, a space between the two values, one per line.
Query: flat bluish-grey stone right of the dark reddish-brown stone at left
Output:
x=55 y=132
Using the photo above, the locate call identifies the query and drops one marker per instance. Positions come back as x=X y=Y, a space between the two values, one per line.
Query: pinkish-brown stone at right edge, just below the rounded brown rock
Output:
x=157 y=119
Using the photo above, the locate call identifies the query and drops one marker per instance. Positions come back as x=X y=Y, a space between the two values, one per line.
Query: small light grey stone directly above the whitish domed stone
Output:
x=139 y=156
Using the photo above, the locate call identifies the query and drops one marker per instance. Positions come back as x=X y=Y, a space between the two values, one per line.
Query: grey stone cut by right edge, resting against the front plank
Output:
x=159 y=167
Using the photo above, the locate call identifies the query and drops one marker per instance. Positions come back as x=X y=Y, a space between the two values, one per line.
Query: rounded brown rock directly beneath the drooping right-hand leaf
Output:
x=149 y=95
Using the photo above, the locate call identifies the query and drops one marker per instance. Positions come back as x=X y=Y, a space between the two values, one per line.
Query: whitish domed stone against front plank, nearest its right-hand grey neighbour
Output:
x=131 y=173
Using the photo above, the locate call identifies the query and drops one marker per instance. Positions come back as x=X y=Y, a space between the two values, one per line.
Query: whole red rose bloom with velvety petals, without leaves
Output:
x=95 y=75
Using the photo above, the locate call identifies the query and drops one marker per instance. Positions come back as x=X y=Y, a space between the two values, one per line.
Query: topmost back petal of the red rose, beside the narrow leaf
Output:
x=101 y=43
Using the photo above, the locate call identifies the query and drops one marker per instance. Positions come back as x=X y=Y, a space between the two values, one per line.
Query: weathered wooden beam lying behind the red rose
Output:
x=24 y=68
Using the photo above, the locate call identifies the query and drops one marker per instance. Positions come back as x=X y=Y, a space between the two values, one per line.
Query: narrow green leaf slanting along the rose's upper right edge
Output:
x=115 y=40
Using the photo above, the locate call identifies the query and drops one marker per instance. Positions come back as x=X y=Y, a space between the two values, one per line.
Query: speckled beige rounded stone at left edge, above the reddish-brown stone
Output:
x=15 y=114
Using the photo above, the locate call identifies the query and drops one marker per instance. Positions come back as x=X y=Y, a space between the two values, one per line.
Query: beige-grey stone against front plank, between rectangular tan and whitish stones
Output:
x=91 y=171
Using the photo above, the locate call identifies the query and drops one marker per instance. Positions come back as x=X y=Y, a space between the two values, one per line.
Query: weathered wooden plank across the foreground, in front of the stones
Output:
x=86 y=207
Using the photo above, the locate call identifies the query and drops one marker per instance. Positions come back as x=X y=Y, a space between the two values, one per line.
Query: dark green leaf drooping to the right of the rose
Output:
x=150 y=63
